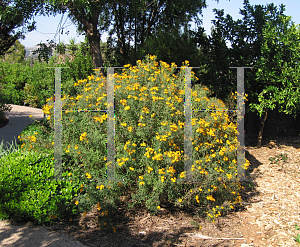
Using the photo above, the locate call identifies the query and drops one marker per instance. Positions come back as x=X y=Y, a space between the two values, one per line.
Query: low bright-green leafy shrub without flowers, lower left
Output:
x=28 y=193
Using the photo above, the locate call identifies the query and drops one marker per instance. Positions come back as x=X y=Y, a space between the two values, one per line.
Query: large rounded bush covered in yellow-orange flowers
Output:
x=149 y=112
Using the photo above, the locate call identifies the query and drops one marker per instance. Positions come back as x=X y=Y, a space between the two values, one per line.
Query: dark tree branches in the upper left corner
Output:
x=13 y=15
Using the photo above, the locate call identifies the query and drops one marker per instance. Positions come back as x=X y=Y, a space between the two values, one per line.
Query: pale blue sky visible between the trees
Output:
x=47 y=27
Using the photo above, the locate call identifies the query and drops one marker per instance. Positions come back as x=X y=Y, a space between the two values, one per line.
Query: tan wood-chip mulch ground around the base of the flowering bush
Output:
x=267 y=218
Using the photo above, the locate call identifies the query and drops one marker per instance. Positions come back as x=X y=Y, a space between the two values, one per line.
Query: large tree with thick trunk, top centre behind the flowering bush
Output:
x=132 y=22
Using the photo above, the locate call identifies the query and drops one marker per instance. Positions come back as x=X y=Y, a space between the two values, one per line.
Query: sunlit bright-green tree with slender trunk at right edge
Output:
x=278 y=70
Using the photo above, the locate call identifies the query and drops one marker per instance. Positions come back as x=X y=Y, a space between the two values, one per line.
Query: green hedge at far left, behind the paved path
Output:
x=33 y=85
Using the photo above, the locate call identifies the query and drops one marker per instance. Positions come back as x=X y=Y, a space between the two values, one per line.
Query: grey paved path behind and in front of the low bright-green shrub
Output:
x=16 y=235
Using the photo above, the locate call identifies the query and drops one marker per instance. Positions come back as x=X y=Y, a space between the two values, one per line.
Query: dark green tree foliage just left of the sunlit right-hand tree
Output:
x=246 y=39
